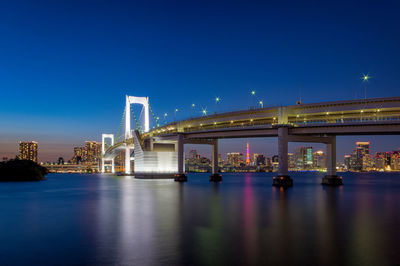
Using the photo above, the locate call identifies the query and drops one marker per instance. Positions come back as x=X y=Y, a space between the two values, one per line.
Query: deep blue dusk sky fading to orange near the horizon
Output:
x=65 y=66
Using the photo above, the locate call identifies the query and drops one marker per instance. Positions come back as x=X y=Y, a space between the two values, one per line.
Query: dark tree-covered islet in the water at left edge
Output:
x=21 y=170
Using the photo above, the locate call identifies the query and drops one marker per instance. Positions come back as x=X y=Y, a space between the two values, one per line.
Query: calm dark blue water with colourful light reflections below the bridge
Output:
x=105 y=220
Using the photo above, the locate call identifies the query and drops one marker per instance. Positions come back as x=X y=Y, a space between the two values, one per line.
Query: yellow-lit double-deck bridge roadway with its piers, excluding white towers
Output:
x=316 y=122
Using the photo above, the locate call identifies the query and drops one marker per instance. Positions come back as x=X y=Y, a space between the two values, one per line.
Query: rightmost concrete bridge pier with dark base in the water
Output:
x=331 y=178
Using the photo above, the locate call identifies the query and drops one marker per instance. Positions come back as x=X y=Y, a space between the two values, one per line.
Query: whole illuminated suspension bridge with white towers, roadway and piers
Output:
x=159 y=152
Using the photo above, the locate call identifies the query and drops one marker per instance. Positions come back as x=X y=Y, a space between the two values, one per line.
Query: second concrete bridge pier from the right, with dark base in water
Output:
x=283 y=179
